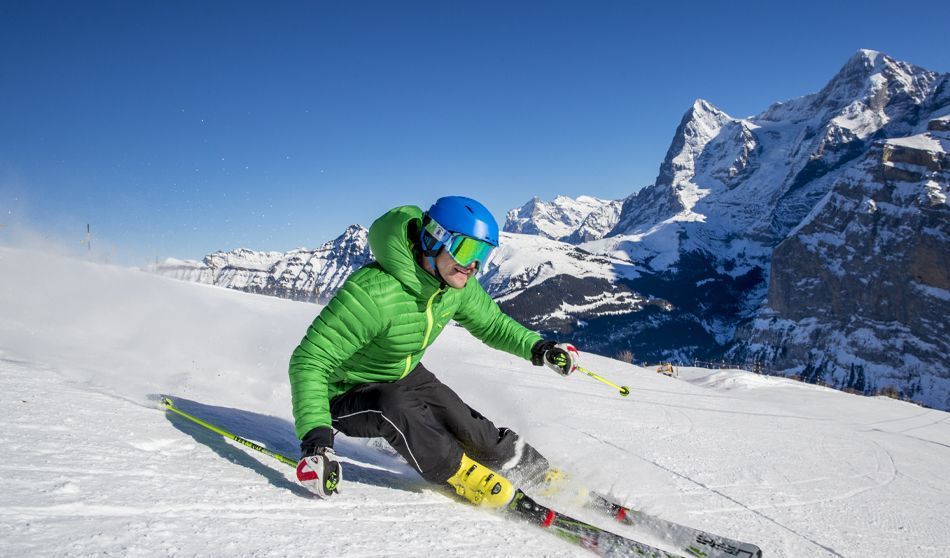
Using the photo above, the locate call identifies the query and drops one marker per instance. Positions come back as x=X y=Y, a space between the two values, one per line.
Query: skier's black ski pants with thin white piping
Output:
x=426 y=422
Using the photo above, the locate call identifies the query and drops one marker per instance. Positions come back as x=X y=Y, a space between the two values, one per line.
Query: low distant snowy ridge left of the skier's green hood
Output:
x=304 y=275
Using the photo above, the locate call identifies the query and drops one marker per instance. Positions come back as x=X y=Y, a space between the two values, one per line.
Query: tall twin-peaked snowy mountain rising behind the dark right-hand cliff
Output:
x=736 y=187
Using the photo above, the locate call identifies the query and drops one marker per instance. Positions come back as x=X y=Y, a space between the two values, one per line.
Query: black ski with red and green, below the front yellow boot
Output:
x=599 y=541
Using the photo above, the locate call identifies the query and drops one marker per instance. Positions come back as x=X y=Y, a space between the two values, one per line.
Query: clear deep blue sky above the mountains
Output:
x=177 y=128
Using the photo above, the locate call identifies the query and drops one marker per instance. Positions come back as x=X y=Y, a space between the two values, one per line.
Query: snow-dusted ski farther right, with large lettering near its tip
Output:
x=694 y=542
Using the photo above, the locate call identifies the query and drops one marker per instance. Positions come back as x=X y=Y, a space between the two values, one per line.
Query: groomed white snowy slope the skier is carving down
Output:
x=93 y=467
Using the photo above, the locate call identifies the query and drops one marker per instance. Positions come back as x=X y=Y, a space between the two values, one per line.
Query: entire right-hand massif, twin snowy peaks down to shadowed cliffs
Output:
x=860 y=167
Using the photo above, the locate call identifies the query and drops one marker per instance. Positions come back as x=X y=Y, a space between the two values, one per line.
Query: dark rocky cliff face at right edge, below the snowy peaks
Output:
x=859 y=294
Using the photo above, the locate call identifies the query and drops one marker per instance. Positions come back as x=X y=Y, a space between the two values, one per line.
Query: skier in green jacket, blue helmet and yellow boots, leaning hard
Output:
x=358 y=367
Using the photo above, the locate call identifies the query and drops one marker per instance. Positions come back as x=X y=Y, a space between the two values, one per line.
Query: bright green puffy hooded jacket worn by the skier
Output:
x=378 y=325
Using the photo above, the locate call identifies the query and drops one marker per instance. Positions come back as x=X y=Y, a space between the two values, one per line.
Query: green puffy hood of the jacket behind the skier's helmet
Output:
x=391 y=246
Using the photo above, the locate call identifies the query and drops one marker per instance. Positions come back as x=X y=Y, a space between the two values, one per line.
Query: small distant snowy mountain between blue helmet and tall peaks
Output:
x=567 y=219
